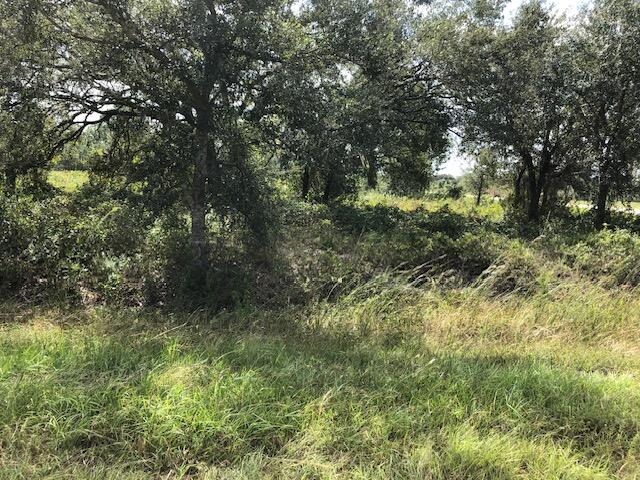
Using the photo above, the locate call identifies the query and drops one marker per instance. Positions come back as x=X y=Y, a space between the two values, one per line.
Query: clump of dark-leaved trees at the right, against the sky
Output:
x=560 y=100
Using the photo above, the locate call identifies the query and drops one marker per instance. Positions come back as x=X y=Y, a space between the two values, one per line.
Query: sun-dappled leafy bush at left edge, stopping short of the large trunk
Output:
x=55 y=247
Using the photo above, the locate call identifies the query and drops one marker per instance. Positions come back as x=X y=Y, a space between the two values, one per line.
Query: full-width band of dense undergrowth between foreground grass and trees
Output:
x=83 y=248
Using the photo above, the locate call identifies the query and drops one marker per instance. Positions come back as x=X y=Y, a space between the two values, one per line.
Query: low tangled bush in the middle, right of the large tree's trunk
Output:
x=351 y=244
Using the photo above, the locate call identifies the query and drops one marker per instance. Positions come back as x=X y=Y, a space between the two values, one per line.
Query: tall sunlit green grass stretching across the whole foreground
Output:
x=402 y=383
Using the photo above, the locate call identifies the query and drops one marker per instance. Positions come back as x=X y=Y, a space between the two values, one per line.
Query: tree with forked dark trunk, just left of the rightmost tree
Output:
x=510 y=84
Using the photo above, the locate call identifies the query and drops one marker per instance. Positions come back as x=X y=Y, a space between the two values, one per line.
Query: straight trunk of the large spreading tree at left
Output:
x=198 y=200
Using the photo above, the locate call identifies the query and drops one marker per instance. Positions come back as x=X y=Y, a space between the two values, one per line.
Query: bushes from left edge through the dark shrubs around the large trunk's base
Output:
x=113 y=251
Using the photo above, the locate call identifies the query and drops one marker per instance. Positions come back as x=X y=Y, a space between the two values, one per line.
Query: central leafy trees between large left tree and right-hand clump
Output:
x=372 y=102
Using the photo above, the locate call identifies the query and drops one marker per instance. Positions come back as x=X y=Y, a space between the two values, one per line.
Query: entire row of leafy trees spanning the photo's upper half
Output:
x=206 y=108
